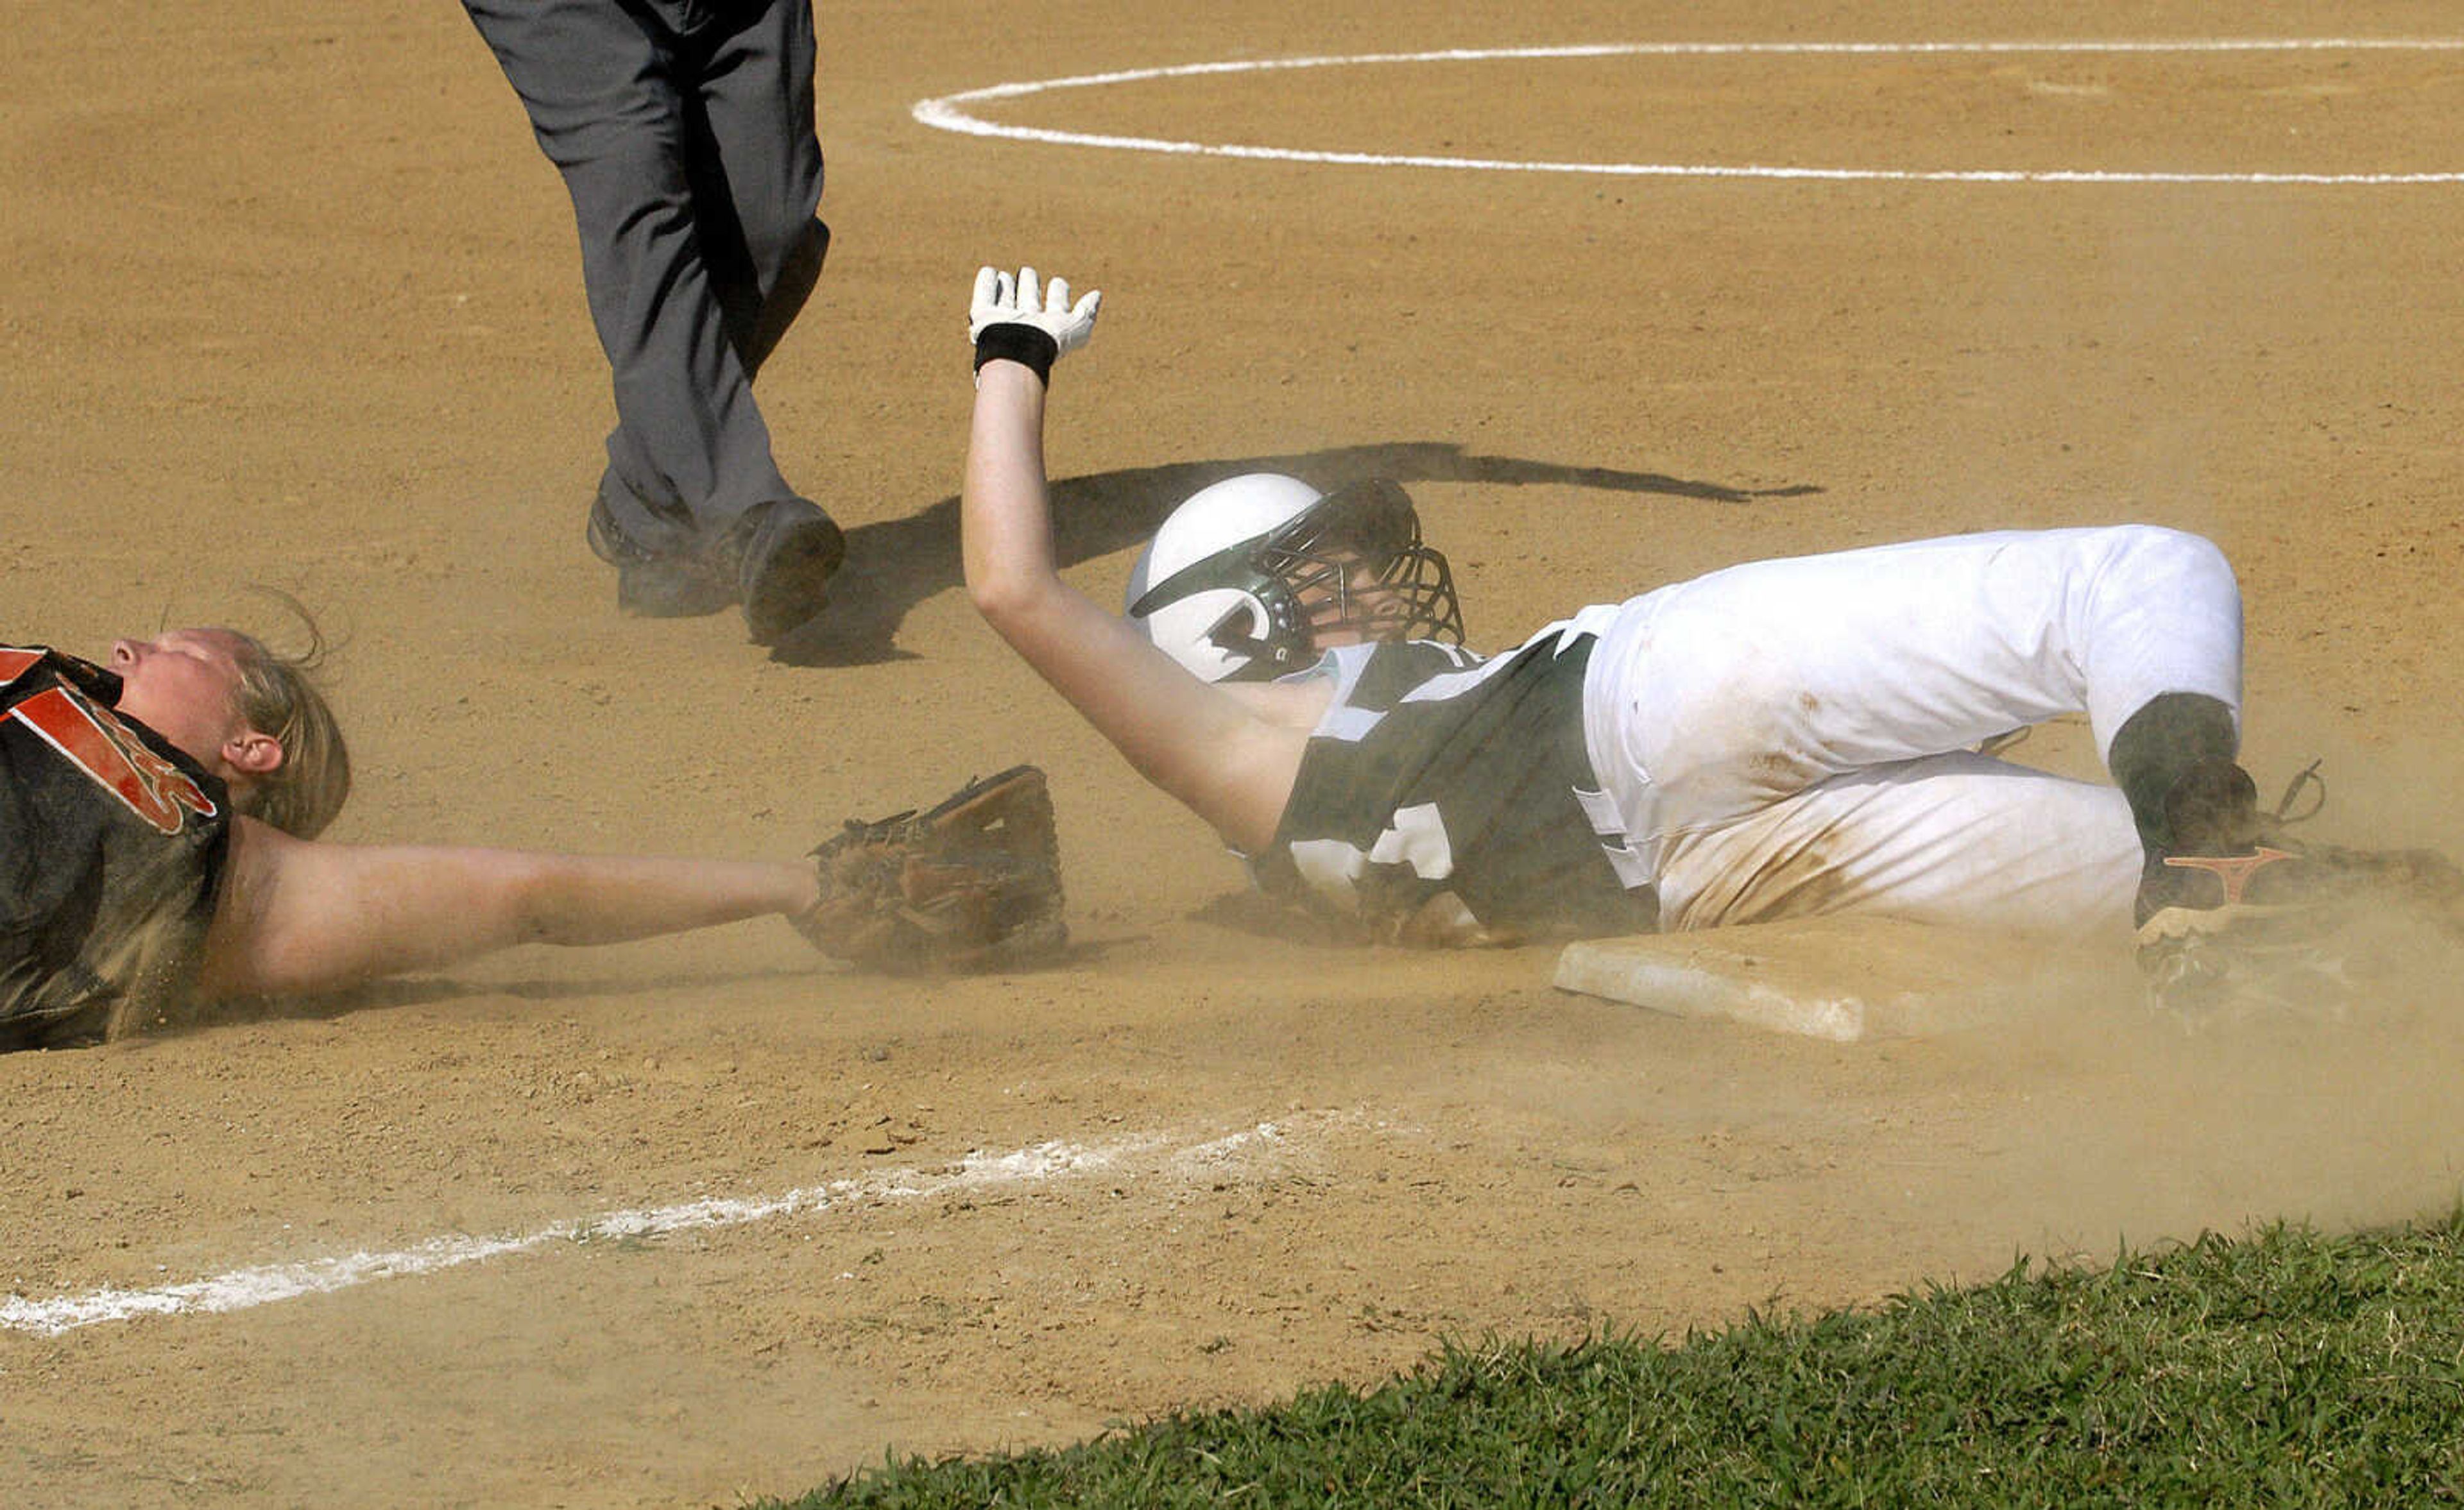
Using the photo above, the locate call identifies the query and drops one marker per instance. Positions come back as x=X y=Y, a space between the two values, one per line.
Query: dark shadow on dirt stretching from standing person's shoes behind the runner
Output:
x=901 y=563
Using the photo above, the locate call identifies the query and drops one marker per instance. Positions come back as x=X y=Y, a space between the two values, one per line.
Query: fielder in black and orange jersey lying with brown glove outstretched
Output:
x=159 y=851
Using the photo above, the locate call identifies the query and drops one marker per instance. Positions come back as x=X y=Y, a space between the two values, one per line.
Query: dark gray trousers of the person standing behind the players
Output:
x=686 y=139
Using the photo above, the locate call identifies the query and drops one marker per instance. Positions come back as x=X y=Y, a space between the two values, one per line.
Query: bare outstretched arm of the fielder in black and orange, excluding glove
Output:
x=302 y=915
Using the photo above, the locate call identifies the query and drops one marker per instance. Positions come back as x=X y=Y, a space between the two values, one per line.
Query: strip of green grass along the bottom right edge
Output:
x=2285 y=1368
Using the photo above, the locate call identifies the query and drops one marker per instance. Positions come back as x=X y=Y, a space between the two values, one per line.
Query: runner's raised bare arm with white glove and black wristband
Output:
x=1228 y=755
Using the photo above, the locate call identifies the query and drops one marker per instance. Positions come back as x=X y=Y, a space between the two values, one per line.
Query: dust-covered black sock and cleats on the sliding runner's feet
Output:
x=2236 y=910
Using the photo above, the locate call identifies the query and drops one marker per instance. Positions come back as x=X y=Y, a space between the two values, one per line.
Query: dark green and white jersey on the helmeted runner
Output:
x=1448 y=799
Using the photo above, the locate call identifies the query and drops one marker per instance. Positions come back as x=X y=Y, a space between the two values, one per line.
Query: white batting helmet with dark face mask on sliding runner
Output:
x=1260 y=575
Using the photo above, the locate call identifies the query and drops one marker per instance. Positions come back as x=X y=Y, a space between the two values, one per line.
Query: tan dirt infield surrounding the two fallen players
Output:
x=292 y=299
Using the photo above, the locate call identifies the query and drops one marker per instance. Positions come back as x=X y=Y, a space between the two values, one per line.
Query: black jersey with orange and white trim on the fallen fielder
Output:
x=112 y=851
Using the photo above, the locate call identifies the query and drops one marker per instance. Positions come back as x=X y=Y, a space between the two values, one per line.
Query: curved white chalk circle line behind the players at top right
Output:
x=950 y=112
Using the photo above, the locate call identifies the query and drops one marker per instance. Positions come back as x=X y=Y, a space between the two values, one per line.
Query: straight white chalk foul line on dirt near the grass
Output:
x=267 y=1285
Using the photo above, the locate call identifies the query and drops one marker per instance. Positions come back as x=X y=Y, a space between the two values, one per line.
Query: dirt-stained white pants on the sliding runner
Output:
x=1793 y=738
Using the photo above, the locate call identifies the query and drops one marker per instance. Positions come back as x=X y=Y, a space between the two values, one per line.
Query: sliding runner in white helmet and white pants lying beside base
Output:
x=1773 y=740
